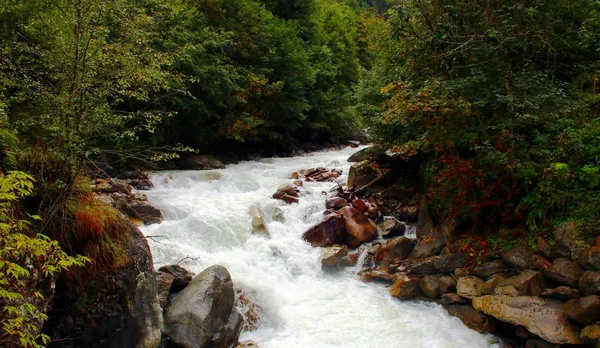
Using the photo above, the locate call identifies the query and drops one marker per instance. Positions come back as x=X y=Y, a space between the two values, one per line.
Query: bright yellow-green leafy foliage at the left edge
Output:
x=29 y=262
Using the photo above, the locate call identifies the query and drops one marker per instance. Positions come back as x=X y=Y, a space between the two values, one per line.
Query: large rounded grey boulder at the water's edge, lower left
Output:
x=203 y=314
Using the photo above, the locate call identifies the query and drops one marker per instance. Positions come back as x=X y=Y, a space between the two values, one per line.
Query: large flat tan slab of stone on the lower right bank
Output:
x=541 y=317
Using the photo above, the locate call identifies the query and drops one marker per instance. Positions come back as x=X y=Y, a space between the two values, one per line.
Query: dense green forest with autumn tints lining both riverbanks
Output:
x=497 y=102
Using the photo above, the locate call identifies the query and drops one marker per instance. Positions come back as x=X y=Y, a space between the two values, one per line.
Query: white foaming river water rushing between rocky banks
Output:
x=207 y=219
